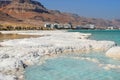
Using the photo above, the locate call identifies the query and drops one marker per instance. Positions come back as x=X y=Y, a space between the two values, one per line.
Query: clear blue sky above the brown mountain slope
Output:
x=107 y=9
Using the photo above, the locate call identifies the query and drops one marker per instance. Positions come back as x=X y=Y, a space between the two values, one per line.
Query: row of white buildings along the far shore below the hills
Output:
x=70 y=26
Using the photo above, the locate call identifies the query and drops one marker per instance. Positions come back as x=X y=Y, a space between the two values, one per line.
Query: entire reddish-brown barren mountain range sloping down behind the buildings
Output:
x=30 y=14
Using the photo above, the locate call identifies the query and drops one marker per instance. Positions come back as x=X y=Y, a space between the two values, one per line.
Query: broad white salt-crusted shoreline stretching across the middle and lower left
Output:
x=17 y=54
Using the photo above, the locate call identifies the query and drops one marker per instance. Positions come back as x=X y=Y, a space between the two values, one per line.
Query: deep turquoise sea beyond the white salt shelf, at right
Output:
x=112 y=35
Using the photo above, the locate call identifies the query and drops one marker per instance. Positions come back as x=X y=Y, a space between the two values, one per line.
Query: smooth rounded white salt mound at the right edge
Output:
x=114 y=53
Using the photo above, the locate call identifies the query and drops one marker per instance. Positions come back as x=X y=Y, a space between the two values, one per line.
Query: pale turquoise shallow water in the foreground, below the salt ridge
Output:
x=70 y=69
